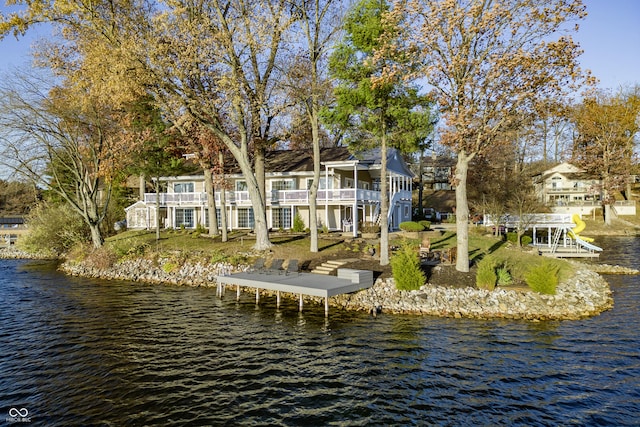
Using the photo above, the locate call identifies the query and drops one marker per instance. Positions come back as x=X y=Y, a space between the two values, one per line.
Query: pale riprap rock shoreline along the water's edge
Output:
x=584 y=295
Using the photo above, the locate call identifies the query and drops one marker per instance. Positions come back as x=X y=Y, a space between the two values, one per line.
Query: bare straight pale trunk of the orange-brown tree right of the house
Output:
x=462 y=212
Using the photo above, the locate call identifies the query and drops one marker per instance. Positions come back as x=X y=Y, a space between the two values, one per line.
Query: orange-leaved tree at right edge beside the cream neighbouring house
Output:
x=607 y=127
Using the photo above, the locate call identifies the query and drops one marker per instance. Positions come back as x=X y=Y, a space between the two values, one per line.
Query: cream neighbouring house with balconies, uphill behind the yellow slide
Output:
x=566 y=188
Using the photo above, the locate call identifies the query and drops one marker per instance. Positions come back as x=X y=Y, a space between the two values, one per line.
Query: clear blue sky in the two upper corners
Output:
x=609 y=36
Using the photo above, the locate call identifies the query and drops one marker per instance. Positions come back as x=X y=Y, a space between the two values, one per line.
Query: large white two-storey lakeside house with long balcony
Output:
x=349 y=192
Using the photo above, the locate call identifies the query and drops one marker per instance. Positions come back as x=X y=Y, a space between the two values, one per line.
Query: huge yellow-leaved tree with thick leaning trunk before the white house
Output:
x=210 y=62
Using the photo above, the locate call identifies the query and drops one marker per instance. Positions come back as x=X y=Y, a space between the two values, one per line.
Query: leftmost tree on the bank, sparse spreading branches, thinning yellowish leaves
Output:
x=64 y=142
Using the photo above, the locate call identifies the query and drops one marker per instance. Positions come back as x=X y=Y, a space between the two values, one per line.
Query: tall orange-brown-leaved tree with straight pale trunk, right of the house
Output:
x=486 y=63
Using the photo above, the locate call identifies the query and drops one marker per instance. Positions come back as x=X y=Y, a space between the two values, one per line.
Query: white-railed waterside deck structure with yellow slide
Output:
x=555 y=235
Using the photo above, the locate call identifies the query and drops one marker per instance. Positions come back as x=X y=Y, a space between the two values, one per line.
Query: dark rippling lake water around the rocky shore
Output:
x=86 y=352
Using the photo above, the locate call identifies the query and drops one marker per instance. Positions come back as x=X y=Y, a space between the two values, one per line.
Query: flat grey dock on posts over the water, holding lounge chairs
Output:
x=347 y=281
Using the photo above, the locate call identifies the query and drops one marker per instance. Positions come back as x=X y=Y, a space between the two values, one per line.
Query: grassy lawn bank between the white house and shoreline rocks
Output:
x=180 y=246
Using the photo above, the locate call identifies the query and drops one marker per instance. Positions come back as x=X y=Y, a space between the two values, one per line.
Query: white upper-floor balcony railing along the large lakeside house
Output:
x=275 y=197
